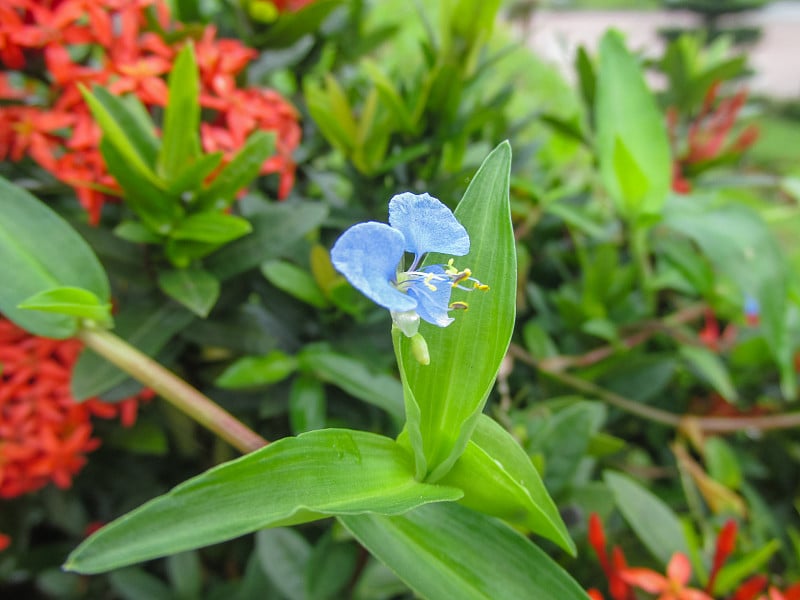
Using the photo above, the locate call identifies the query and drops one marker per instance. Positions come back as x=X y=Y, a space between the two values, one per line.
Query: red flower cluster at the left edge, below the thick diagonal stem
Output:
x=44 y=433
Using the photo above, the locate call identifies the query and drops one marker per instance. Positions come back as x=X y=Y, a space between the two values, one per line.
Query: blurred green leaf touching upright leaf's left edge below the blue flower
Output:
x=349 y=374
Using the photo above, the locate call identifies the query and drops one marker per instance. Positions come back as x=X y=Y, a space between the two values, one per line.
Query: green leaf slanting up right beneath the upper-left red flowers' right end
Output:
x=238 y=173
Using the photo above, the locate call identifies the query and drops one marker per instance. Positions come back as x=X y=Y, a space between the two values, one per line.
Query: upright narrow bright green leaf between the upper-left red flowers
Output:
x=180 y=143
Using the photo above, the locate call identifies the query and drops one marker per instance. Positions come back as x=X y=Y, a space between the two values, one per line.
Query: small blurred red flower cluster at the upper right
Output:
x=707 y=138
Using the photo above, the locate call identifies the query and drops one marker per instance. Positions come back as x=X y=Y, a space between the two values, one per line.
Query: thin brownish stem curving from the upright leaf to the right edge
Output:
x=705 y=424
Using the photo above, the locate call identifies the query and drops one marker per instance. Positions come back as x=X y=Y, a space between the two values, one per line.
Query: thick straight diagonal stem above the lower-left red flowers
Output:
x=172 y=388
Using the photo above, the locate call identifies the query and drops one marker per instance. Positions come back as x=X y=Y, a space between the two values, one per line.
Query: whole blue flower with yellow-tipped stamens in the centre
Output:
x=371 y=256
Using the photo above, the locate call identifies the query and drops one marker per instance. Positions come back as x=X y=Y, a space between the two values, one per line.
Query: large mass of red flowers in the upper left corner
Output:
x=115 y=43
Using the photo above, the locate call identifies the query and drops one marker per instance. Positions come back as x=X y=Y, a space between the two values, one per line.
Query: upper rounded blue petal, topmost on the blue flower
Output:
x=428 y=225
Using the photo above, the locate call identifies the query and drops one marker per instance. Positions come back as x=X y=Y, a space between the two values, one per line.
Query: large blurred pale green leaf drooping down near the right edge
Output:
x=742 y=248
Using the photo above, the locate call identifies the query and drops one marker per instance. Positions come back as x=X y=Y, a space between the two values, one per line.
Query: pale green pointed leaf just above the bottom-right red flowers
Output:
x=651 y=519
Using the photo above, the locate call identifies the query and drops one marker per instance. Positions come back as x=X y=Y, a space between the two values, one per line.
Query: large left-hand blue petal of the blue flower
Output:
x=367 y=254
